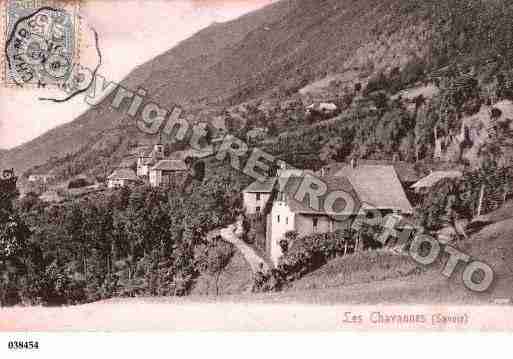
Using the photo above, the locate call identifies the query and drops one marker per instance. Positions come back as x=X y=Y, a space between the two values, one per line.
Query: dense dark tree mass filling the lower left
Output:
x=133 y=241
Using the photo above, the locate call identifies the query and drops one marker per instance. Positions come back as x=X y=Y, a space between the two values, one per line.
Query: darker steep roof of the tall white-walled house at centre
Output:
x=290 y=186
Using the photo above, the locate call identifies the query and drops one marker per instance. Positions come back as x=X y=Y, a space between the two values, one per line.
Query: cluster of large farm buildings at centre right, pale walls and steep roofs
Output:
x=388 y=187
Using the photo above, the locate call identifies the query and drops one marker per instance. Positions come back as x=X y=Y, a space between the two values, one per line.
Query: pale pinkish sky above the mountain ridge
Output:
x=131 y=33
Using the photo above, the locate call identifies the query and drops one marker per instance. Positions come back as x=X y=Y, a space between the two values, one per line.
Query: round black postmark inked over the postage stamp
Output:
x=40 y=48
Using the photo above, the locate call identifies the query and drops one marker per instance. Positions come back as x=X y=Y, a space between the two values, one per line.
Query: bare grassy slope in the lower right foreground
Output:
x=386 y=278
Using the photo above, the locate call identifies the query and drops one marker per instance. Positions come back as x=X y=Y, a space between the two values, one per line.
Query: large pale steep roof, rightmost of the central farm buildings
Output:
x=377 y=186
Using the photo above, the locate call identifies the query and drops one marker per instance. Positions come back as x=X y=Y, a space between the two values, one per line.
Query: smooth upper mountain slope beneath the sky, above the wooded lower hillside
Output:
x=277 y=50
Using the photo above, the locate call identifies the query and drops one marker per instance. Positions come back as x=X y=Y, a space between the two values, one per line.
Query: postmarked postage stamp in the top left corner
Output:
x=40 y=42
